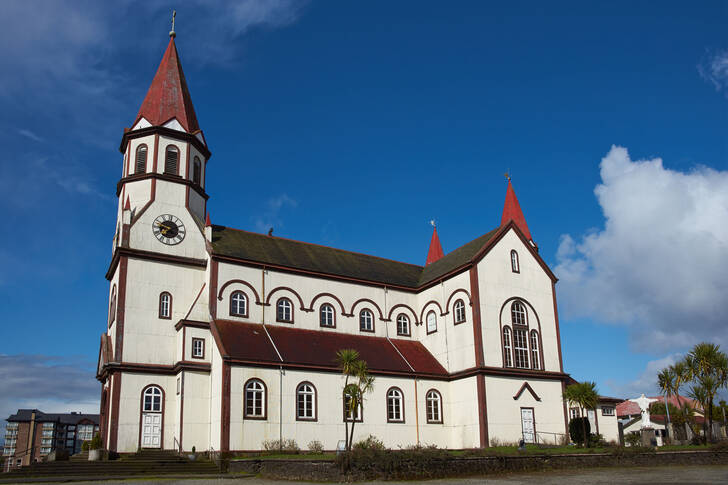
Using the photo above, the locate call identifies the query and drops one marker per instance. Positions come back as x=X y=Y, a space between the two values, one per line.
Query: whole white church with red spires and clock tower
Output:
x=221 y=339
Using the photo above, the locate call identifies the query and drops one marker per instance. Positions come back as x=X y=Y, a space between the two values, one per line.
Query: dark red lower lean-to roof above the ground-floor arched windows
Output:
x=317 y=348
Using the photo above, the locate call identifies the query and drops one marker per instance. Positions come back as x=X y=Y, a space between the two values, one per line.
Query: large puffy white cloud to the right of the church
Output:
x=659 y=263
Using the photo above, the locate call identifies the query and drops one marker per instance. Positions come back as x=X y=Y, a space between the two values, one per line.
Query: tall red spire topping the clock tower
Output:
x=168 y=96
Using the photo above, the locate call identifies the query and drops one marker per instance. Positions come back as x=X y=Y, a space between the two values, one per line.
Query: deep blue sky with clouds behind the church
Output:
x=352 y=125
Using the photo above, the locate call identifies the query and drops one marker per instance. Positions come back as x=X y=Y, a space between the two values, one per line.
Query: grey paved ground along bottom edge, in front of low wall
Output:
x=648 y=476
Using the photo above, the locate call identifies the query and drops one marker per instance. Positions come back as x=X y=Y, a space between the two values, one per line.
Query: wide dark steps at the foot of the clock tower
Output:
x=146 y=462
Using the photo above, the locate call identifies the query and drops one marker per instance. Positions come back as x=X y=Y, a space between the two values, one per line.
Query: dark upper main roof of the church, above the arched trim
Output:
x=276 y=251
